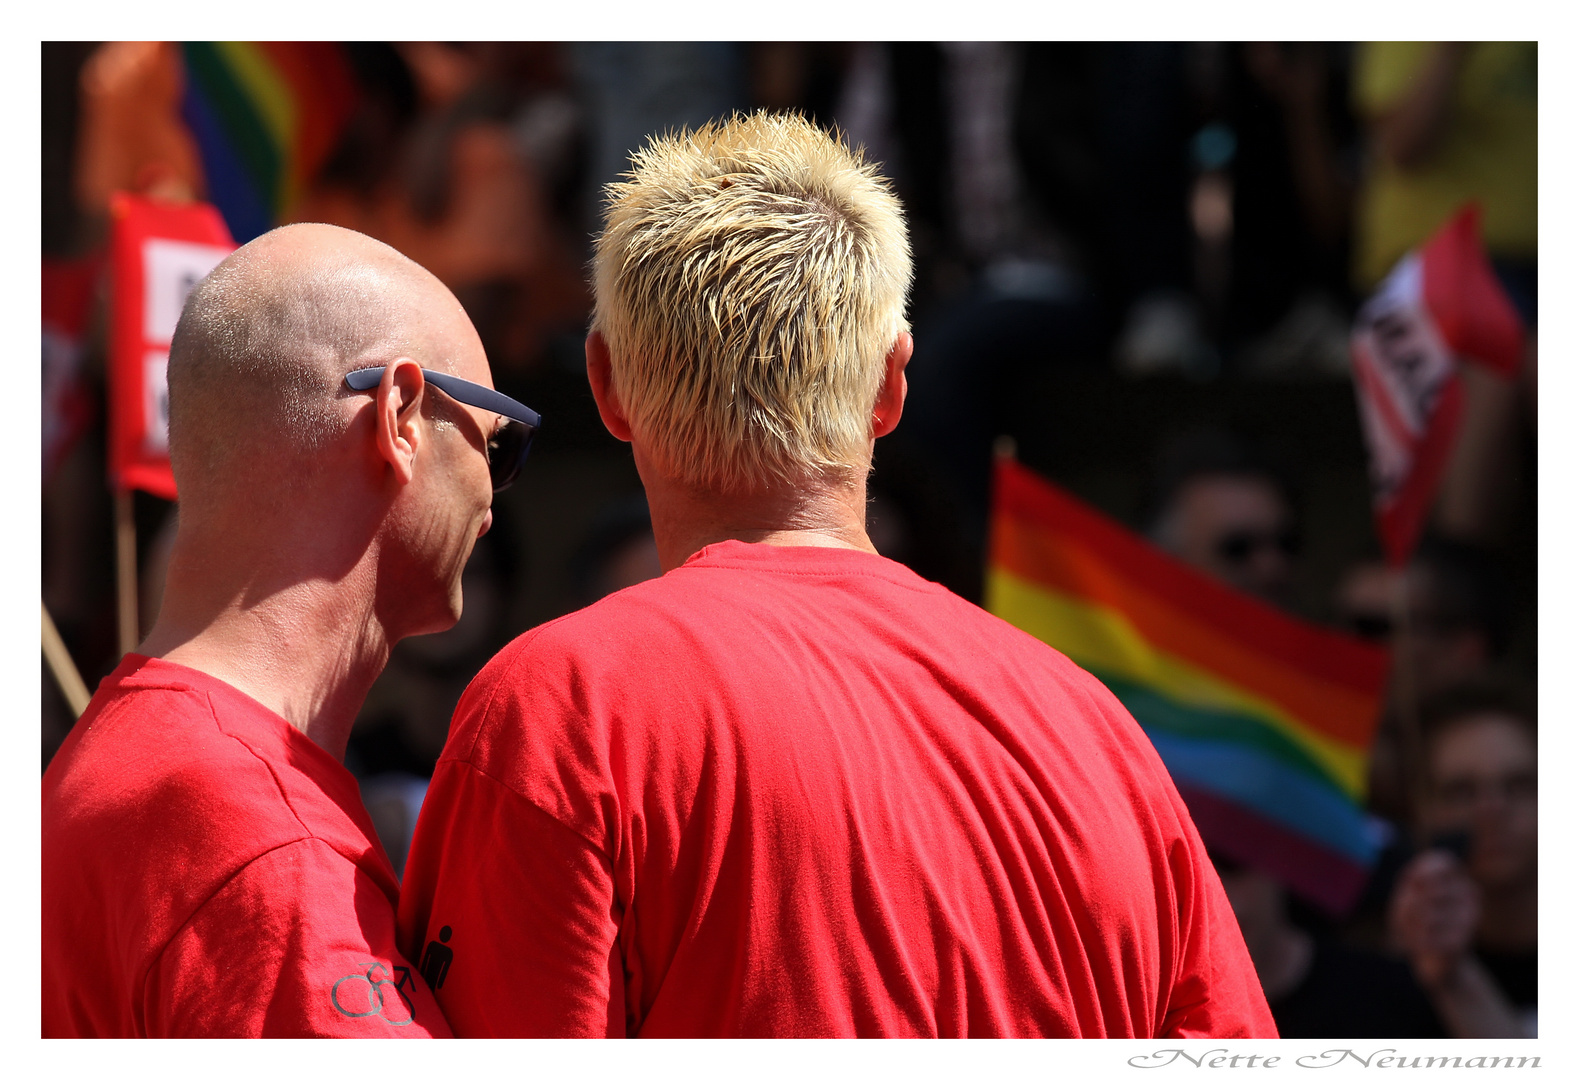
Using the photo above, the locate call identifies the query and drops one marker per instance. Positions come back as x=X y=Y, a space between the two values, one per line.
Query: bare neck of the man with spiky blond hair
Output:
x=816 y=516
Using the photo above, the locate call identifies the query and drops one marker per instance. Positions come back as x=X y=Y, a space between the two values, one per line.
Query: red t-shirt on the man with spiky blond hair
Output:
x=801 y=792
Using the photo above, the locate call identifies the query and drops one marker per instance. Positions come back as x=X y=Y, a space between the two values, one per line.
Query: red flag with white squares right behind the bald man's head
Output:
x=159 y=252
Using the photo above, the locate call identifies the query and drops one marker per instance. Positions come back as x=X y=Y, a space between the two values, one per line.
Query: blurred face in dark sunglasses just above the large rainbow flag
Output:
x=1239 y=530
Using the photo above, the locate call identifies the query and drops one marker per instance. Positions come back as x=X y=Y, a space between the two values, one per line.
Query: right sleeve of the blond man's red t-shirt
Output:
x=1217 y=992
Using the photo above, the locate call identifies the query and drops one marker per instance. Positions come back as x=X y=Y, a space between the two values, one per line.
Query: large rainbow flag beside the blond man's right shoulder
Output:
x=1262 y=721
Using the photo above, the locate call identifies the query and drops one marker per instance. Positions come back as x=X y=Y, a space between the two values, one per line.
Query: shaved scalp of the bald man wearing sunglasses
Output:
x=264 y=342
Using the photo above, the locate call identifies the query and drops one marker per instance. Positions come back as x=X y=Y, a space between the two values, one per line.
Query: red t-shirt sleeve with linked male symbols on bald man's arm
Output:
x=301 y=943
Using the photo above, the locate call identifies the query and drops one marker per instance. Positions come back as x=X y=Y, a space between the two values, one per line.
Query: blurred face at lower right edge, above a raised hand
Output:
x=1483 y=782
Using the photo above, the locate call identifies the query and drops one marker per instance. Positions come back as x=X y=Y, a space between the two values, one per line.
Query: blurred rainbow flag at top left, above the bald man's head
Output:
x=266 y=116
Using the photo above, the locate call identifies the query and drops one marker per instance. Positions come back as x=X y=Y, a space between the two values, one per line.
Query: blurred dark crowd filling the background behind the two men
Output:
x=1142 y=261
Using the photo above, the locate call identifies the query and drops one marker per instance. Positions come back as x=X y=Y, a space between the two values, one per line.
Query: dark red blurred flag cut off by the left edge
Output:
x=67 y=293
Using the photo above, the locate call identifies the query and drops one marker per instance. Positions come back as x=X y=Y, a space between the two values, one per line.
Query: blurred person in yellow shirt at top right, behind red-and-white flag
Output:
x=1455 y=122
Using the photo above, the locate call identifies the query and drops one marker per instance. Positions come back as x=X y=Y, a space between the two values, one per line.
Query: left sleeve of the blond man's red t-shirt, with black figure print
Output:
x=519 y=939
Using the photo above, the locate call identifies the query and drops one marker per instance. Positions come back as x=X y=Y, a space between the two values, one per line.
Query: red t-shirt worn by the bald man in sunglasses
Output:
x=209 y=871
